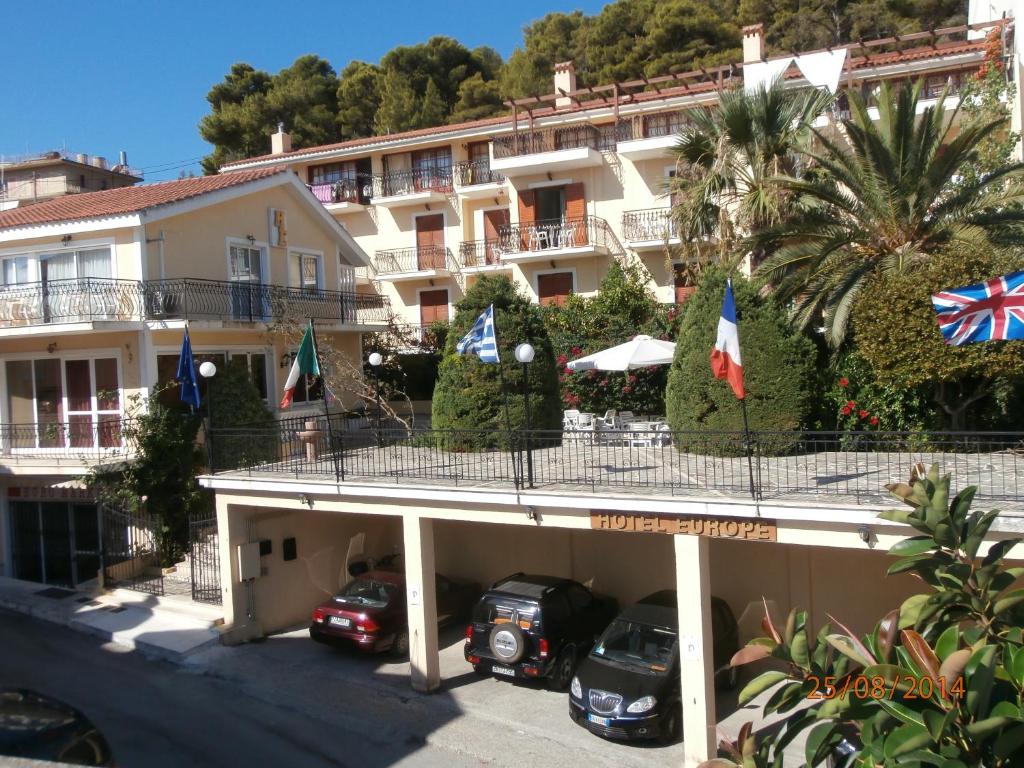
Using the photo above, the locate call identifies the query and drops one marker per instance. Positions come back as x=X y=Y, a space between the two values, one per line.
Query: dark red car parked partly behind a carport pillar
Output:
x=371 y=613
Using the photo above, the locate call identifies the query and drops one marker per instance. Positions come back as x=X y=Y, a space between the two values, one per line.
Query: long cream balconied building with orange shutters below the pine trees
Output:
x=553 y=194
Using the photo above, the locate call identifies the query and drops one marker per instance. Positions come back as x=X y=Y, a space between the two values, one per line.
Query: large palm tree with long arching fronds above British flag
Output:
x=894 y=196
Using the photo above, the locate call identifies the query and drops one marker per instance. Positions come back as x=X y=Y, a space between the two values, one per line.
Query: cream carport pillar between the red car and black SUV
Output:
x=421 y=596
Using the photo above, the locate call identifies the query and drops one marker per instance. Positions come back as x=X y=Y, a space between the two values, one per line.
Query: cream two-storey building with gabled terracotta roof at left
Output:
x=96 y=293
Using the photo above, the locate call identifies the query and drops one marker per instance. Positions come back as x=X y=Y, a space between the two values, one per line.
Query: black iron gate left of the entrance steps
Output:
x=131 y=551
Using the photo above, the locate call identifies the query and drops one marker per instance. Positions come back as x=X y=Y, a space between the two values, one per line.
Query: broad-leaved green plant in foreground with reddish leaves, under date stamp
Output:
x=940 y=681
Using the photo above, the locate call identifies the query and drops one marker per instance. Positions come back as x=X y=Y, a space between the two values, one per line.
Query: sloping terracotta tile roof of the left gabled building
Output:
x=126 y=200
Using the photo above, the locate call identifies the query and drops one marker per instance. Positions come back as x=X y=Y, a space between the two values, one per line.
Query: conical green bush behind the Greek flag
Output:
x=468 y=395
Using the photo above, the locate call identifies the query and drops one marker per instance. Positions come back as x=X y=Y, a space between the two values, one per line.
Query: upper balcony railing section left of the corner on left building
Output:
x=76 y=301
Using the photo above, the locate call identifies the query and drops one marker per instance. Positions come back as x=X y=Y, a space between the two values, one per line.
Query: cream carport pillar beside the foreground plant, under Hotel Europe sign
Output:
x=697 y=651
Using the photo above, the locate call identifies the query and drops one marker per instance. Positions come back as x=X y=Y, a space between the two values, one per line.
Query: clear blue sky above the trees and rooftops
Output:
x=110 y=75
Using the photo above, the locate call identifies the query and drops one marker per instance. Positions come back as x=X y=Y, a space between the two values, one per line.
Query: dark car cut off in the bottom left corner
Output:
x=38 y=728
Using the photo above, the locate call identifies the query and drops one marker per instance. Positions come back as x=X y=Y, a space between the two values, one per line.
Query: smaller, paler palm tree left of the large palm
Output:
x=729 y=160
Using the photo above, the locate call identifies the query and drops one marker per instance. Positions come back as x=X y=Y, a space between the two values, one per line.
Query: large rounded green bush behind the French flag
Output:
x=779 y=370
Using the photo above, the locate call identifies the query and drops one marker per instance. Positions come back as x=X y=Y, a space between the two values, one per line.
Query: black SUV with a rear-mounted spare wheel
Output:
x=535 y=627
